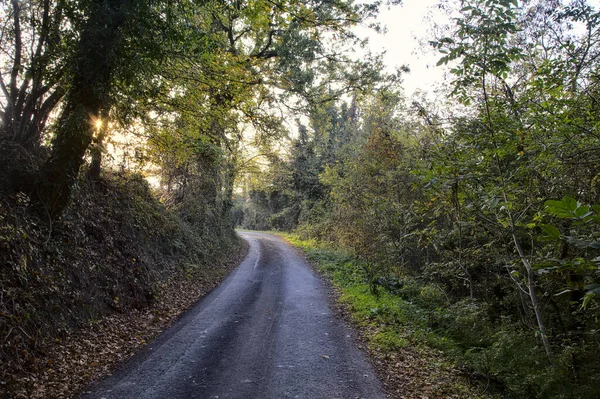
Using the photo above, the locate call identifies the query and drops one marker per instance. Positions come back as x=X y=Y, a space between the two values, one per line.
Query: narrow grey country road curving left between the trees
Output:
x=267 y=332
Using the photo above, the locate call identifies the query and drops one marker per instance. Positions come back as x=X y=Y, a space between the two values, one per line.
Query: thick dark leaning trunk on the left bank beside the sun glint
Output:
x=96 y=59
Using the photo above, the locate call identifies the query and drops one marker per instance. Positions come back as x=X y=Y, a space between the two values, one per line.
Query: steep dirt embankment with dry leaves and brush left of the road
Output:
x=80 y=295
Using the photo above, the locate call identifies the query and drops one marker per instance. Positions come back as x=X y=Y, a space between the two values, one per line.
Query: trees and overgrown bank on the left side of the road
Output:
x=124 y=127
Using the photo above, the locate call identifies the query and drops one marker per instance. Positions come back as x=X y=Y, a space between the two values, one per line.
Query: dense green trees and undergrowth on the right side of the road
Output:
x=484 y=210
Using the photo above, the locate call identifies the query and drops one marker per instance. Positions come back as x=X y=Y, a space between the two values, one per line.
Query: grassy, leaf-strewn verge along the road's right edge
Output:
x=412 y=359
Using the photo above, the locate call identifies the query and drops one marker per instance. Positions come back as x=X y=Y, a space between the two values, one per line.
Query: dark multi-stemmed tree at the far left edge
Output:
x=38 y=45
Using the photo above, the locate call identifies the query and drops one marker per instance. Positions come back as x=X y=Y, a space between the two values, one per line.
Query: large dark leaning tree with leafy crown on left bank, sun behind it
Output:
x=116 y=51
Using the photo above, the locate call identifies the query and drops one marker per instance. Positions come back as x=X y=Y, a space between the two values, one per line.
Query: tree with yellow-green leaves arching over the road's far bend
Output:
x=261 y=55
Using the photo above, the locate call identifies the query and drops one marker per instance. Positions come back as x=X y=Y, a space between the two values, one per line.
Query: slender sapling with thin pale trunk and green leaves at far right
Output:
x=527 y=75
